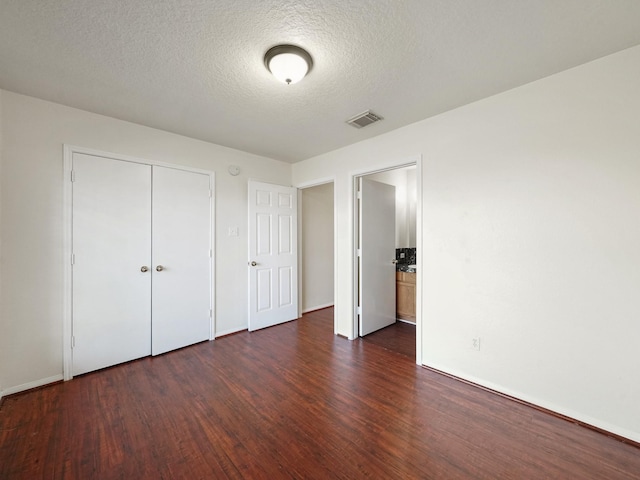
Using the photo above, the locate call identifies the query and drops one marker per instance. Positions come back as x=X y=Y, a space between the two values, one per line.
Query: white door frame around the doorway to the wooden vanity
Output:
x=353 y=185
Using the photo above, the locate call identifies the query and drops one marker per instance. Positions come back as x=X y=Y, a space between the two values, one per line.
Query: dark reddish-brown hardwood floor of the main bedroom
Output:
x=291 y=402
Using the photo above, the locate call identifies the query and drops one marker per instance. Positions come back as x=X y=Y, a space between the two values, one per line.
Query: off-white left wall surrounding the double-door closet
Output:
x=33 y=133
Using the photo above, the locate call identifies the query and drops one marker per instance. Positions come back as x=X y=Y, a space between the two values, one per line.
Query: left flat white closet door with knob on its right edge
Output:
x=111 y=320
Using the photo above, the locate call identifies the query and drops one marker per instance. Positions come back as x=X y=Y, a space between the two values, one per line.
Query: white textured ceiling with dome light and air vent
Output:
x=194 y=67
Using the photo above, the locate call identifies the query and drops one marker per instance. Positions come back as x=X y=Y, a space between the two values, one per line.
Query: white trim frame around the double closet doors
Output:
x=67 y=241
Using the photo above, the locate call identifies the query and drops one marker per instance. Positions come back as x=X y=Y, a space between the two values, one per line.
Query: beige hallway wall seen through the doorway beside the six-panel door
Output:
x=316 y=217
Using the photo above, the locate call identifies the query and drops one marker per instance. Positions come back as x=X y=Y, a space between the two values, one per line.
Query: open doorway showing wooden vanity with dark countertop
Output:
x=386 y=239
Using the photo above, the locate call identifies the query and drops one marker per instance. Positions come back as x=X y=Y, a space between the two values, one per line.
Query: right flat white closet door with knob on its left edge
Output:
x=181 y=272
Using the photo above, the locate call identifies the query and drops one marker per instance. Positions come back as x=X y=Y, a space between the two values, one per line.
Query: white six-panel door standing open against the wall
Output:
x=273 y=255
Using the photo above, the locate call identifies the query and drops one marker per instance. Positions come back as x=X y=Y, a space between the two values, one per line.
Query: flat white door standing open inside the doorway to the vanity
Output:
x=377 y=271
